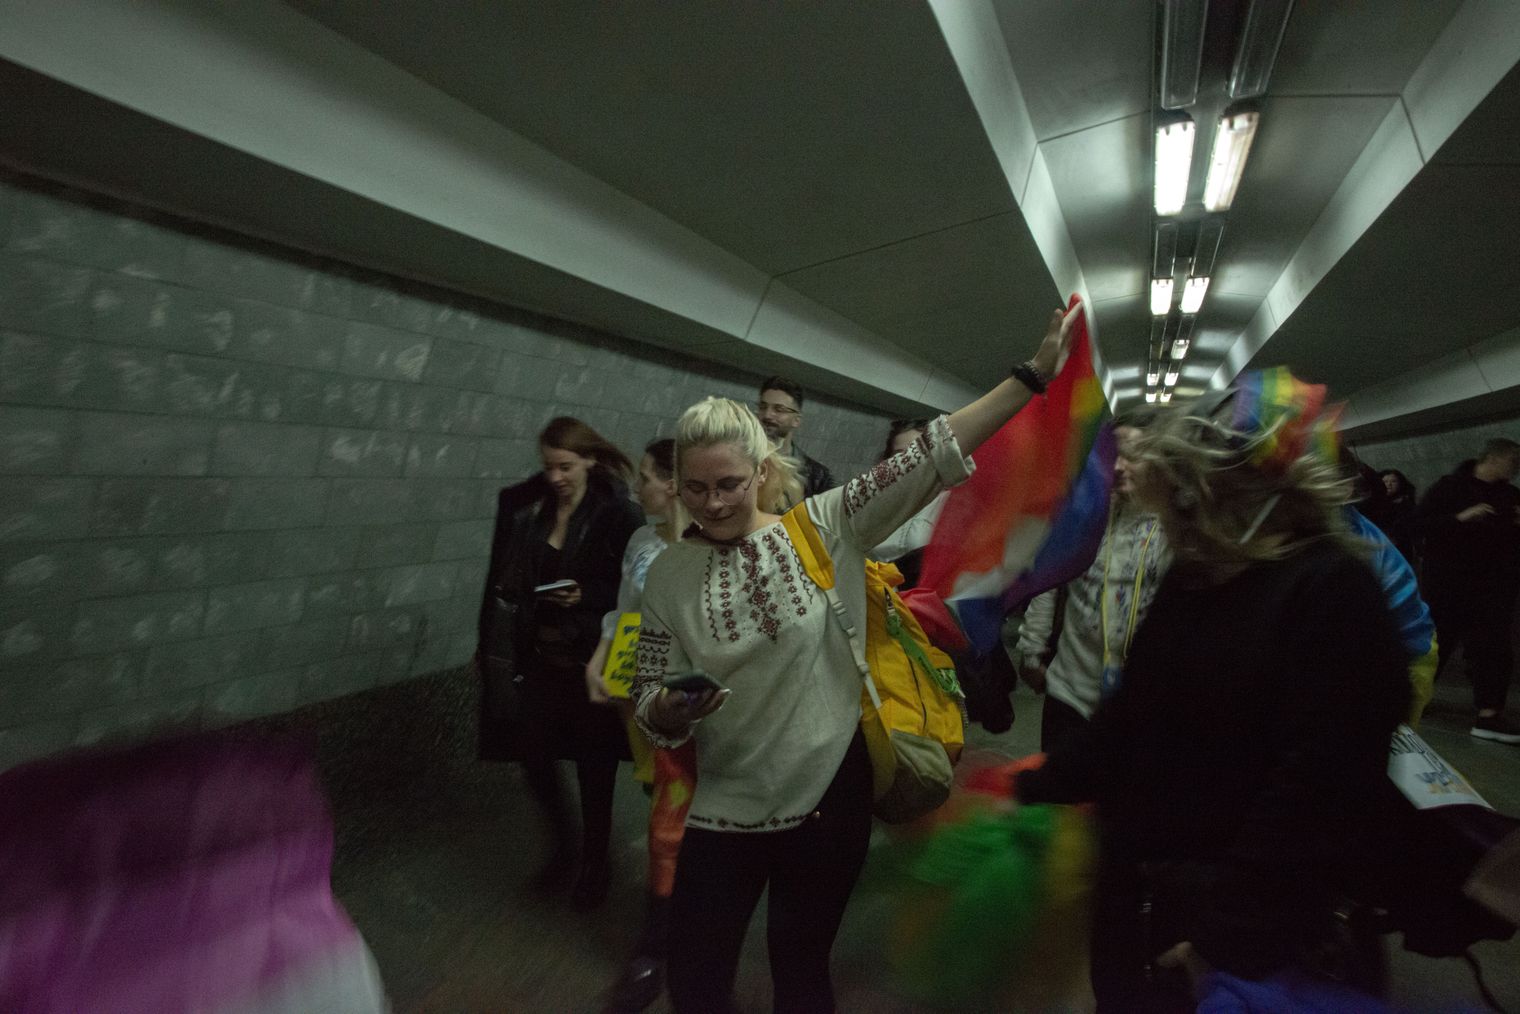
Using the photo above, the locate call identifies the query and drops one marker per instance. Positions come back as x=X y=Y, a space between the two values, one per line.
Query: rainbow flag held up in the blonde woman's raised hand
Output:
x=1030 y=510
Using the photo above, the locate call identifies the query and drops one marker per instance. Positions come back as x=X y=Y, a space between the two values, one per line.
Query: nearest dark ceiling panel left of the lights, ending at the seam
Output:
x=736 y=119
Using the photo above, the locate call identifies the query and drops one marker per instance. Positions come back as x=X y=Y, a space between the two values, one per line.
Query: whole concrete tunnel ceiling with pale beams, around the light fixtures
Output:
x=884 y=198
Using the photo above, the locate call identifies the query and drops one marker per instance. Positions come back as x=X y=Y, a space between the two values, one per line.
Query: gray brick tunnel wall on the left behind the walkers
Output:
x=239 y=480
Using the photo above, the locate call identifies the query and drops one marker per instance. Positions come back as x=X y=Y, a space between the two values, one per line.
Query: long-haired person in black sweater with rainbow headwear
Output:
x=1237 y=767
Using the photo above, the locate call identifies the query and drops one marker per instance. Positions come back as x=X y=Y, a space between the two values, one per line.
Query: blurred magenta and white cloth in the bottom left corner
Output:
x=191 y=875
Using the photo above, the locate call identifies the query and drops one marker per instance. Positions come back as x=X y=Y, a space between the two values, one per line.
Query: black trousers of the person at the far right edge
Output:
x=1480 y=619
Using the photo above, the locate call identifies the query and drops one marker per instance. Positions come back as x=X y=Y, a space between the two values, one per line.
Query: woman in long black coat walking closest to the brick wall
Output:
x=568 y=528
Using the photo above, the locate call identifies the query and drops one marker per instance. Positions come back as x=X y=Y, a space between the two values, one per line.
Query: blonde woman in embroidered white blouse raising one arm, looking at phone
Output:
x=784 y=788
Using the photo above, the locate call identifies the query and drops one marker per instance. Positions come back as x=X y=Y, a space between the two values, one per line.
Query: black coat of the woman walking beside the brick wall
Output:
x=513 y=621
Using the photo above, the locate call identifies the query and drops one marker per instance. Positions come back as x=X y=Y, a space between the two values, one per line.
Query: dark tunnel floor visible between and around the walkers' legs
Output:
x=435 y=873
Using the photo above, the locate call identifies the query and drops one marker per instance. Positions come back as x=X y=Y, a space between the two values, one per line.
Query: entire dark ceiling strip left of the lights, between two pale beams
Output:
x=866 y=183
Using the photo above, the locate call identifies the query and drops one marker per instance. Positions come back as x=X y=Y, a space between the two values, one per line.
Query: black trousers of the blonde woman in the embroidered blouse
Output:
x=811 y=872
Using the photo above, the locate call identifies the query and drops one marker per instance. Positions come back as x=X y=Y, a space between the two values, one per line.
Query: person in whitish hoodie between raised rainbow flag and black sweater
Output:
x=1103 y=609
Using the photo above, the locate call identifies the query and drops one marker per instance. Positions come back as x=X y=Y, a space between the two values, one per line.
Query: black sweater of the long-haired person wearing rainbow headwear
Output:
x=1244 y=750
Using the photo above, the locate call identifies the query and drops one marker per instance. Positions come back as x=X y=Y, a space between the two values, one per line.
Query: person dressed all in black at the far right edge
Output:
x=1471 y=522
